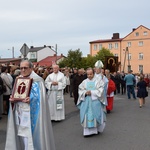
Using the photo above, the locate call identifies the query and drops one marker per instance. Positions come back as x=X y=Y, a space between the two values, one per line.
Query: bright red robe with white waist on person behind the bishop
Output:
x=110 y=95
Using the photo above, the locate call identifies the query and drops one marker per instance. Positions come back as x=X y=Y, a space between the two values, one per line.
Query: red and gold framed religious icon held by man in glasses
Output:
x=21 y=89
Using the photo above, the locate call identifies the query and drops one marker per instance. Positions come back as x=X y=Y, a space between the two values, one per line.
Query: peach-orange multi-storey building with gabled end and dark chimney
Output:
x=133 y=50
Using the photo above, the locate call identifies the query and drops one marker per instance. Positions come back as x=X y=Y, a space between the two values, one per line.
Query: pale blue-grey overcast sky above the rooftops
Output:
x=71 y=24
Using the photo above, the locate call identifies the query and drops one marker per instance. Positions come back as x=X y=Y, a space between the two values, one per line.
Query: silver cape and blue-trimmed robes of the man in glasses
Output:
x=29 y=125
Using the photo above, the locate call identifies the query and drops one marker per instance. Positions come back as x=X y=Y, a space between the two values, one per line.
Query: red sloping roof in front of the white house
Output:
x=48 y=61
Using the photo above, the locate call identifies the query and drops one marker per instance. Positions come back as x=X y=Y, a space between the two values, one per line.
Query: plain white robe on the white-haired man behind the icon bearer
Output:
x=56 y=96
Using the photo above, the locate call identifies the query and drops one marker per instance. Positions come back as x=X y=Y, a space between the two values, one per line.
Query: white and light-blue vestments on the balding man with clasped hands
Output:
x=92 y=112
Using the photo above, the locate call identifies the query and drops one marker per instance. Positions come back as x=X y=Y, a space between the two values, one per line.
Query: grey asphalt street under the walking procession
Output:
x=127 y=128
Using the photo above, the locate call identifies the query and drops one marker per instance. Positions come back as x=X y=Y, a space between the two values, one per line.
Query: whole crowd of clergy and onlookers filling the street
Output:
x=93 y=91
